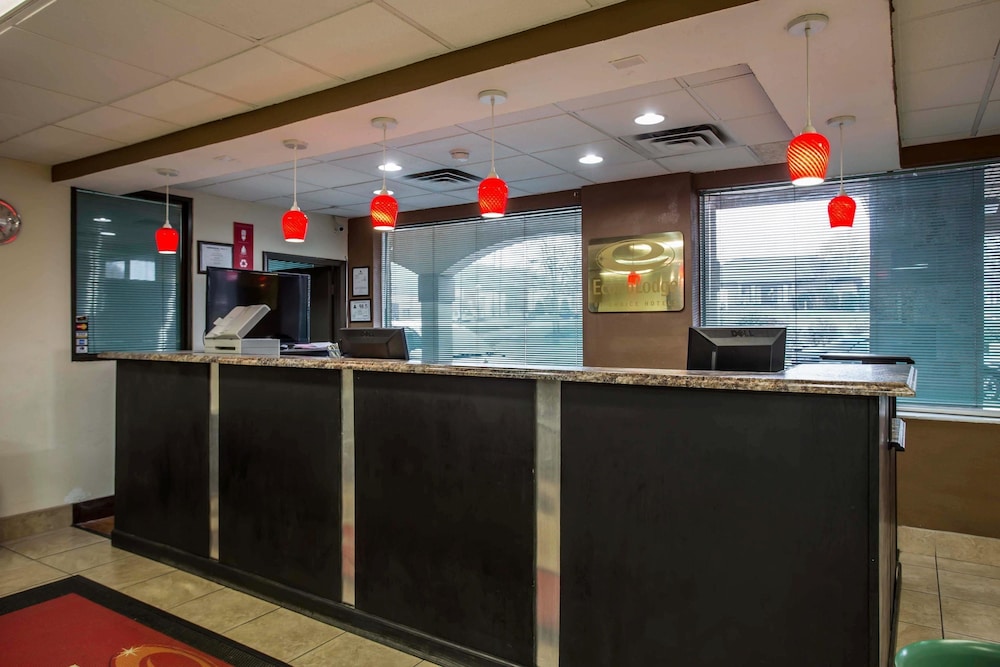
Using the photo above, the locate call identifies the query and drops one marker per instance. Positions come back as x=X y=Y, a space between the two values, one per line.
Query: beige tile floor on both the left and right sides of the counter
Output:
x=951 y=589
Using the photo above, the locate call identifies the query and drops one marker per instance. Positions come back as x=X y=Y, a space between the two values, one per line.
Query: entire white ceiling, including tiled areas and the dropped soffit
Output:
x=82 y=77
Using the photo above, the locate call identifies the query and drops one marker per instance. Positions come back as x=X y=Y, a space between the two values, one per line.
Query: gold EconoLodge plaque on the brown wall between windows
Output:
x=634 y=274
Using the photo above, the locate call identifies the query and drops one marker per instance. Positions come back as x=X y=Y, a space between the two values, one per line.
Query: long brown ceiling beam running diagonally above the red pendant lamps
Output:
x=599 y=25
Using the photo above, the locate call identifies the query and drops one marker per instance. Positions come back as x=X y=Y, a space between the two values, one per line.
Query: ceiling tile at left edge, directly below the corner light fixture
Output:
x=48 y=64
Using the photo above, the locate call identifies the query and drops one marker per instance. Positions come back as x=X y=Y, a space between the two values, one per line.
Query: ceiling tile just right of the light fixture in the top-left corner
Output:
x=143 y=33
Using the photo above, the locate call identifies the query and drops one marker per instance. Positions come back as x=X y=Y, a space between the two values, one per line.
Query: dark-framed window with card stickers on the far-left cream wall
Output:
x=126 y=296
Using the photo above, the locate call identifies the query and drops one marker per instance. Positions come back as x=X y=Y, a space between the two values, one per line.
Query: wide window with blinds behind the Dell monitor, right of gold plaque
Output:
x=917 y=275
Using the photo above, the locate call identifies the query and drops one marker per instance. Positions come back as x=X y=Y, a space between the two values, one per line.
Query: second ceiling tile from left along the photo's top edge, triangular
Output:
x=261 y=19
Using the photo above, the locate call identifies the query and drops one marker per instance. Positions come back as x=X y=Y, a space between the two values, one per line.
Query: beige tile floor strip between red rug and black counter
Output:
x=276 y=631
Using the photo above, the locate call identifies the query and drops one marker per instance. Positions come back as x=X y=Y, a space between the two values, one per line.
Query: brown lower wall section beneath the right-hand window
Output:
x=949 y=477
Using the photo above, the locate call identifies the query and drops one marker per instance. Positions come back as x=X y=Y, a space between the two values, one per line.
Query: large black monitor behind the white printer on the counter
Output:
x=286 y=294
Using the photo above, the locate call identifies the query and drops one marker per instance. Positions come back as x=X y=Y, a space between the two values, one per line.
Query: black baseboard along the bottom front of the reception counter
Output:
x=343 y=616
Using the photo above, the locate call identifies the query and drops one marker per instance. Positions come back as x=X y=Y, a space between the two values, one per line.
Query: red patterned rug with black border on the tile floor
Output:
x=76 y=622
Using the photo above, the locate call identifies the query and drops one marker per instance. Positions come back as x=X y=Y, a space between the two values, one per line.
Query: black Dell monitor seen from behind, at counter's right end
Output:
x=736 y=349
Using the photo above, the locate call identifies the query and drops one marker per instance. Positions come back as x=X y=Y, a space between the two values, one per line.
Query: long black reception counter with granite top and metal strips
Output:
x=485 y=515
